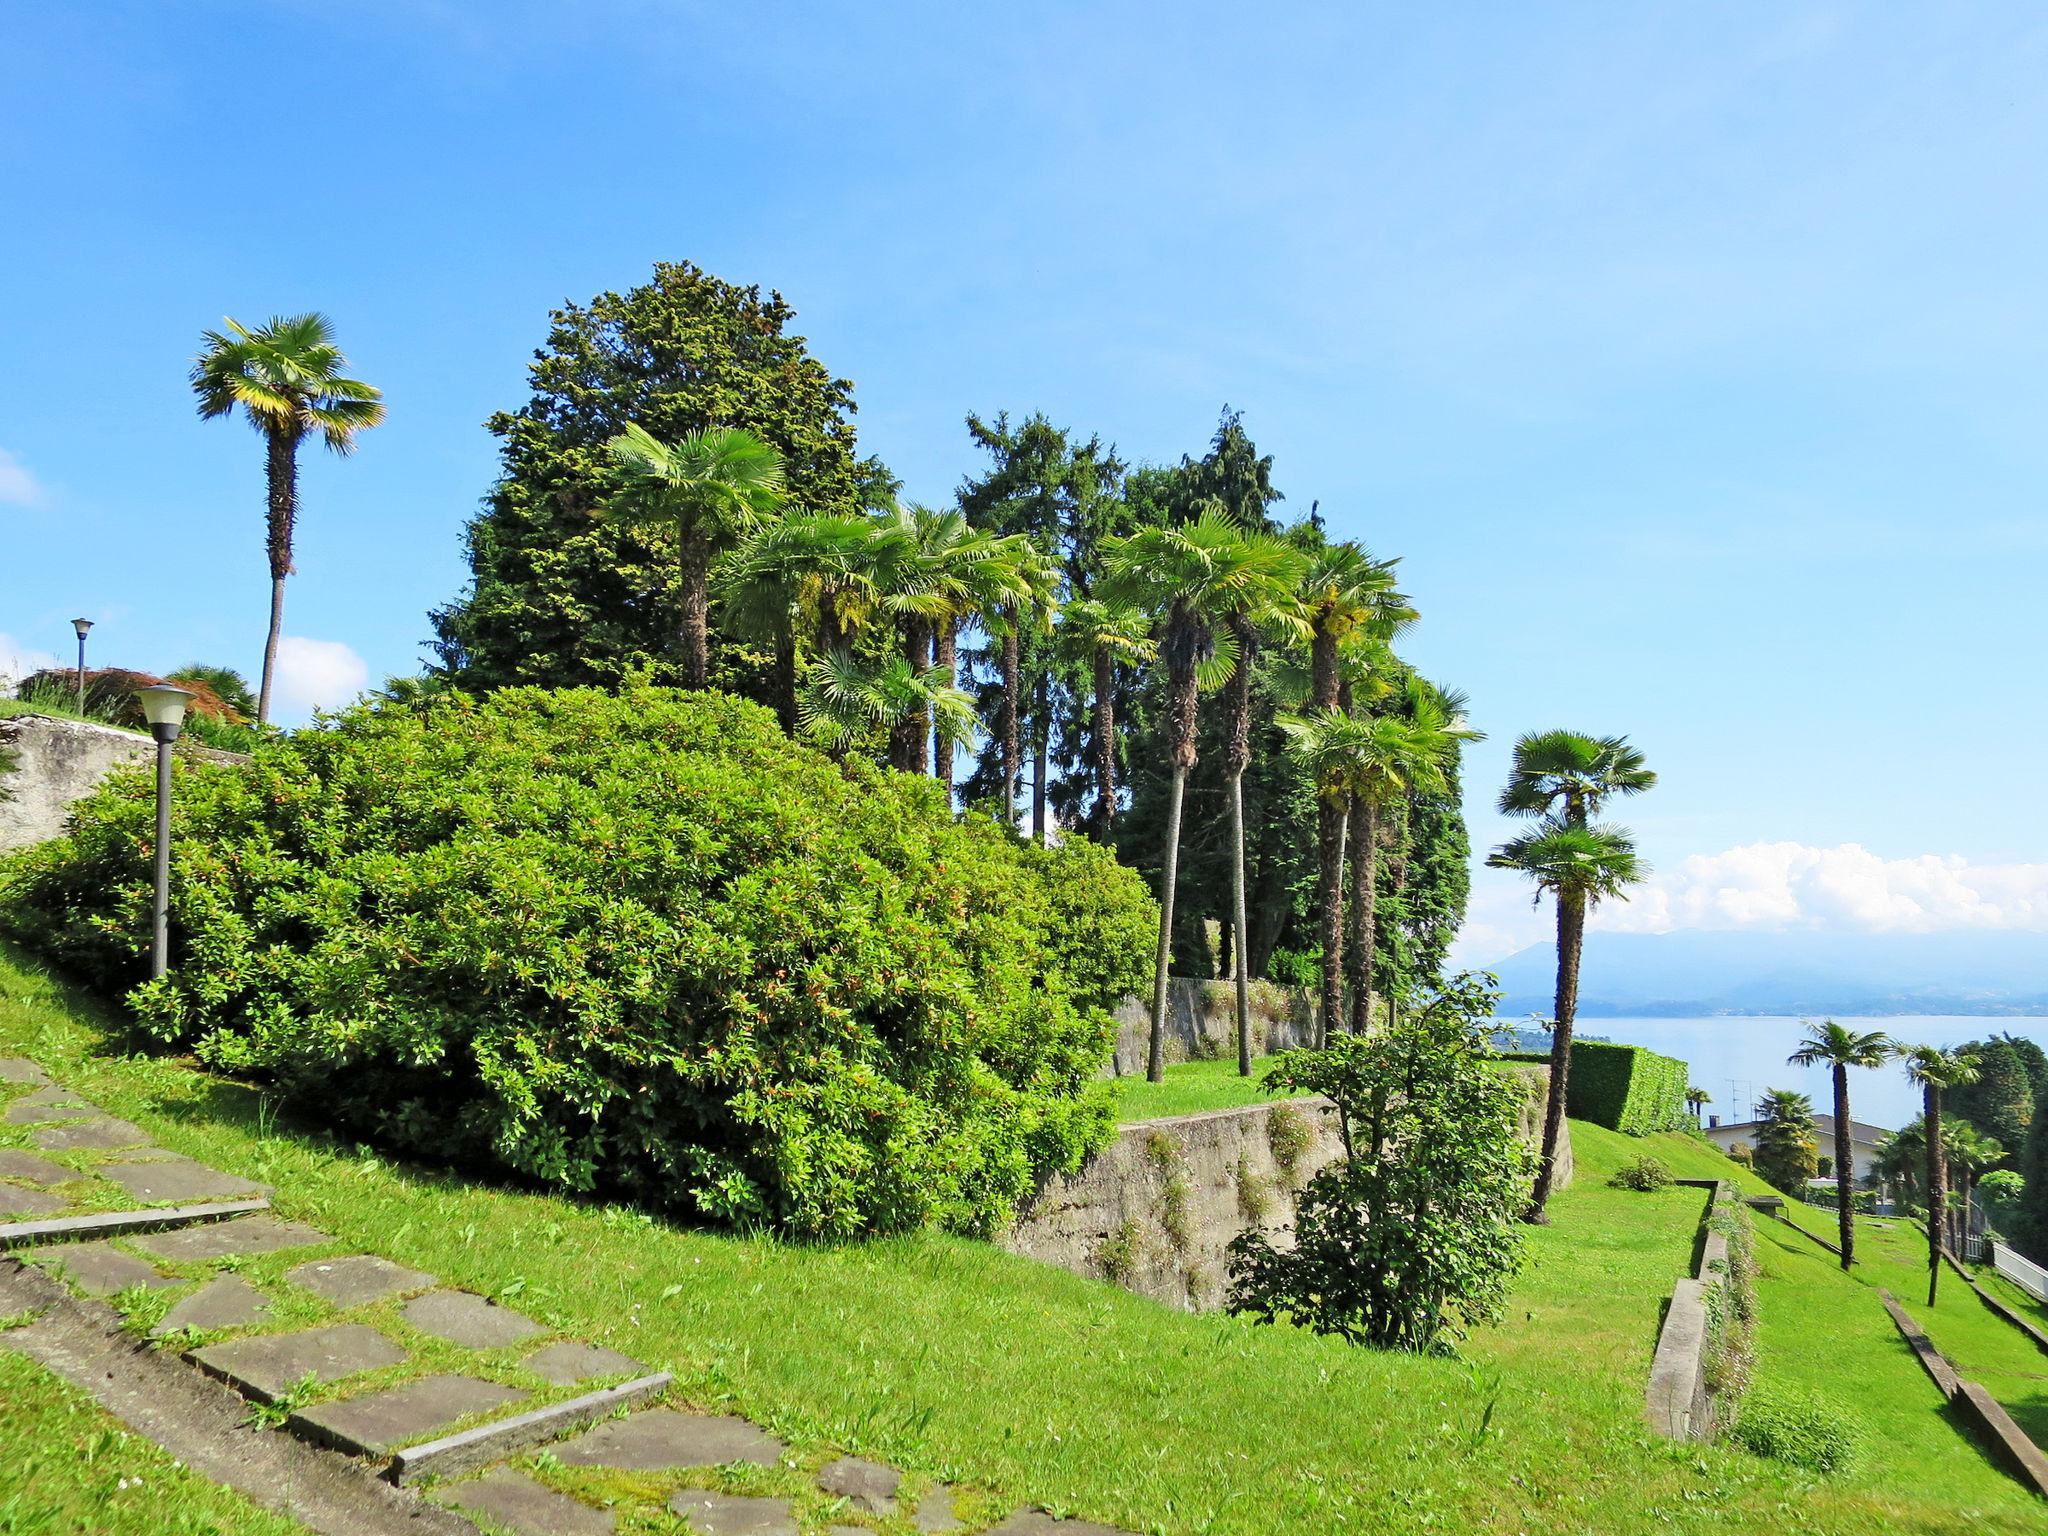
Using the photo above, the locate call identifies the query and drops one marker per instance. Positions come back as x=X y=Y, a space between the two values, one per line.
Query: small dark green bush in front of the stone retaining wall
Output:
x=1416 y=1236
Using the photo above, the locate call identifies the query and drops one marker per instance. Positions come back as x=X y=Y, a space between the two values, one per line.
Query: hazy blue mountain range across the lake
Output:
x=1697 y=974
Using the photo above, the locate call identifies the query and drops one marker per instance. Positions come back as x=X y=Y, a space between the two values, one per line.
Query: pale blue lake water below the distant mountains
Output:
x=1738 y=1060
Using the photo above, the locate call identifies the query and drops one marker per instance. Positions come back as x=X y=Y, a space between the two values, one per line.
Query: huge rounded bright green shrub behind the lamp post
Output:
x=634 y=943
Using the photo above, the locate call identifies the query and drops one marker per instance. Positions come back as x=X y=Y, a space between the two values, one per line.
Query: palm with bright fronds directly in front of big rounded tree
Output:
x=714 y=486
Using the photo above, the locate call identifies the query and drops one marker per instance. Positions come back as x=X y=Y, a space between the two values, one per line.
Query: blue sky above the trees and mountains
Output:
x=1689 y=355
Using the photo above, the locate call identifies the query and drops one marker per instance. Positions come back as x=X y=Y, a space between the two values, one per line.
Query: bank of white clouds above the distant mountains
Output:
x=1783 y=886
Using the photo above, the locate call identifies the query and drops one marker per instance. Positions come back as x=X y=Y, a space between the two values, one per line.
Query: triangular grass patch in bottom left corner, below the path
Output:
x=67 y=1465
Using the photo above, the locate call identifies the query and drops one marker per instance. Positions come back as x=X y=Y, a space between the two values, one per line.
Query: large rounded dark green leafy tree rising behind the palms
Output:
x=562 y=595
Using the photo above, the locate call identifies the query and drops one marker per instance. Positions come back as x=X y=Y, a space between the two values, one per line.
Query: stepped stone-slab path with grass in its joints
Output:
x=396 y=1377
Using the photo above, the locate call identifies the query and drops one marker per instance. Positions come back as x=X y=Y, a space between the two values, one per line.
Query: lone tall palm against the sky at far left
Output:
x=290 y=382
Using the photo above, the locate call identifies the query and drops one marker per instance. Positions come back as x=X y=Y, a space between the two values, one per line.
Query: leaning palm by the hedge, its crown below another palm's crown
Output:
x=1582 y=867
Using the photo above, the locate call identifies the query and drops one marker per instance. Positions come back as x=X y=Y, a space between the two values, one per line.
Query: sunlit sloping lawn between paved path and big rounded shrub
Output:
x=955 y=1361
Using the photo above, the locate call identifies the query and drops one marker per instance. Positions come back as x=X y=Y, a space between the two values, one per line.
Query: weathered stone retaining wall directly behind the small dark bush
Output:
x=1160 y=1205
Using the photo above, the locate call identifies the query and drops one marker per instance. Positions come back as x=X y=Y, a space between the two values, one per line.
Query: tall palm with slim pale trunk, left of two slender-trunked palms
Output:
x=1193 y=579
